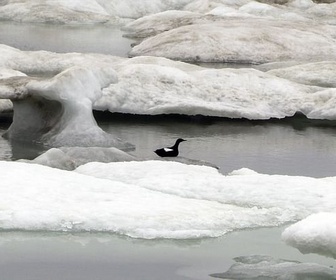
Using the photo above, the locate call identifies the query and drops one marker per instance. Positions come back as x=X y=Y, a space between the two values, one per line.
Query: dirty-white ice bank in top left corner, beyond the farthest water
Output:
x=87 y=12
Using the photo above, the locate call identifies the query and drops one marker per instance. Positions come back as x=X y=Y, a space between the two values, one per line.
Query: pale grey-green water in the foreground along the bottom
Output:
x=56 y=256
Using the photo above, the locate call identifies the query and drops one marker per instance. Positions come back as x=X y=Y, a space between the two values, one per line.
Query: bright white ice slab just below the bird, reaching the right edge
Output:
x=275 y=199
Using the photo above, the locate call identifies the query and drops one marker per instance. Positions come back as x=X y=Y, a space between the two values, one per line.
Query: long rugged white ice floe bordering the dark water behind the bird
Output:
x=151 y=86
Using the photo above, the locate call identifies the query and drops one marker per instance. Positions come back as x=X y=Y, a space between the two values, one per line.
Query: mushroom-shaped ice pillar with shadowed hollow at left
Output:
x=58 y=111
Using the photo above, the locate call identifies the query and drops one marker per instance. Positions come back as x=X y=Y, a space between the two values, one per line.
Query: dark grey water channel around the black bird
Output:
x=266 y=147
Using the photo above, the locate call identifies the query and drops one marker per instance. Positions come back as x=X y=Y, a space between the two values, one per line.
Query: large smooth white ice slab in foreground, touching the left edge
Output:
x=42 y=198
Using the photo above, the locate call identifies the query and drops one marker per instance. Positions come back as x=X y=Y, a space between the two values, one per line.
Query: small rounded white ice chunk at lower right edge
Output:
x=315 y=234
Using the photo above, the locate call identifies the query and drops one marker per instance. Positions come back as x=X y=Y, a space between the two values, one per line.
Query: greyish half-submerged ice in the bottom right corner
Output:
x=265 y=267
